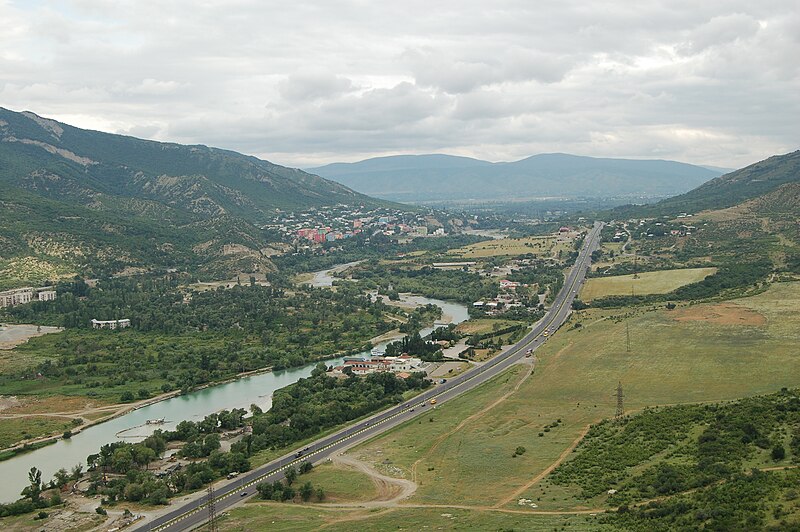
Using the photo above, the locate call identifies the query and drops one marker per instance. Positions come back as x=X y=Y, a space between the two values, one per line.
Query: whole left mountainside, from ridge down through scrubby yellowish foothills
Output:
x=79 y=200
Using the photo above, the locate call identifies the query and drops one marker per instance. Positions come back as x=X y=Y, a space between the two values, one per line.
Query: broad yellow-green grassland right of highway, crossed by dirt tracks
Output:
x=464 y=458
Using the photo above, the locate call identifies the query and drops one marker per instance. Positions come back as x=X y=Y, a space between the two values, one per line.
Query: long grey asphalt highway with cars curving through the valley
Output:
x=195 y=513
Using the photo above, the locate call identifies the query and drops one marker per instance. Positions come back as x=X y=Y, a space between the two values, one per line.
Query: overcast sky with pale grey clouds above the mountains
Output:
x=305 y=83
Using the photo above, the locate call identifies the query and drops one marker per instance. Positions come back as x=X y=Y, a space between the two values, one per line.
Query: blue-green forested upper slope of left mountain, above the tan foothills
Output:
x=52 y=159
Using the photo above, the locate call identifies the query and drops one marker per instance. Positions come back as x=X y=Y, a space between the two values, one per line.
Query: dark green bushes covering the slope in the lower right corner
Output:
x=664 y=452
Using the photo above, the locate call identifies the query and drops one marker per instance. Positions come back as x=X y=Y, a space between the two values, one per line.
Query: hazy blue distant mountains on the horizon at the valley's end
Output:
x=414 y=178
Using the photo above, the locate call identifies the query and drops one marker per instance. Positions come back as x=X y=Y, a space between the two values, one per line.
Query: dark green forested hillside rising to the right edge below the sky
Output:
x=749 y=183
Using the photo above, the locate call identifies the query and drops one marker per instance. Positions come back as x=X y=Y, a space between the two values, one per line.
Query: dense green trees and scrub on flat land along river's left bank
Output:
x=180 y=339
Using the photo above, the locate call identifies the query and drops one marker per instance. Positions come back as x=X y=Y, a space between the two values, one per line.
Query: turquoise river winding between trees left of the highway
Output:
x=241 y=393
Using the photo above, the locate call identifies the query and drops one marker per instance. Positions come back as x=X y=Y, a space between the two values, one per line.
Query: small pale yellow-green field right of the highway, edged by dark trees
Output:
x=660 y=282
